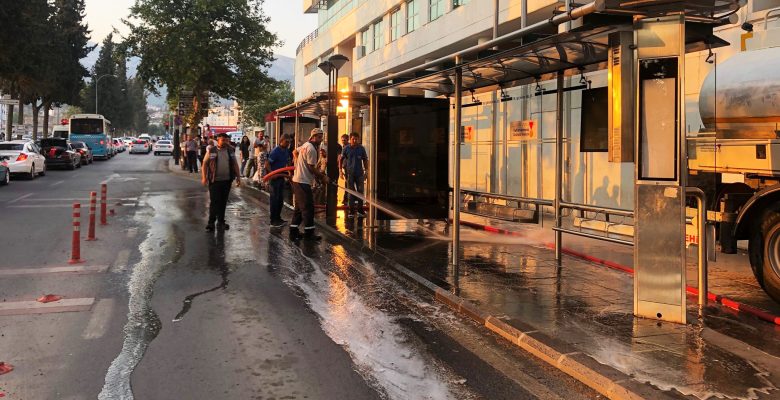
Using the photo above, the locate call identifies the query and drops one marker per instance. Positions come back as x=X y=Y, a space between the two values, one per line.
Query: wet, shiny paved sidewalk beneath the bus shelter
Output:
x=587 y=308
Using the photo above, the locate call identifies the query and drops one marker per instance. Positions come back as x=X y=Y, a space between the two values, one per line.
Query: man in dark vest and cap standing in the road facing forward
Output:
x=220 y=169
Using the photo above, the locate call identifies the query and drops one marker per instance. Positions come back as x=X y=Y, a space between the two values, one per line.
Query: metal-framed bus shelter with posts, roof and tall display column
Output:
x=643 y=46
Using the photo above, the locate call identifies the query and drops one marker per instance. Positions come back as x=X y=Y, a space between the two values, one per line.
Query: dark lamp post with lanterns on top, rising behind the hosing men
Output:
x=331 y=68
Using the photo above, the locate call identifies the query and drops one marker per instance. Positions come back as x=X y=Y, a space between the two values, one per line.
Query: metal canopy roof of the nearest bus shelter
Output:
x=581 y=50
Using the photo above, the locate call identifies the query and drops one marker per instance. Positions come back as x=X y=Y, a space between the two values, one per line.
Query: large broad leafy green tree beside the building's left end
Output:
x=203 y=46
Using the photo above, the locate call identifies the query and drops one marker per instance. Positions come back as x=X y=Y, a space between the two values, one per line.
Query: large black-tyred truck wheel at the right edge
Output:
x=765 y=254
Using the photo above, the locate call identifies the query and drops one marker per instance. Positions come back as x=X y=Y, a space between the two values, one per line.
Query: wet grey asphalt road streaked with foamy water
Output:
x=180 y=313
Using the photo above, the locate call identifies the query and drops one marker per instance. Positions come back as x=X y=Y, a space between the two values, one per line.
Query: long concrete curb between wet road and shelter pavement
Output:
x=602 y=378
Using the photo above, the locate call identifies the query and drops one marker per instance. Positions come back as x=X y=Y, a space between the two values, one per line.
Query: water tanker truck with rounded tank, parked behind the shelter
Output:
x=735 y=158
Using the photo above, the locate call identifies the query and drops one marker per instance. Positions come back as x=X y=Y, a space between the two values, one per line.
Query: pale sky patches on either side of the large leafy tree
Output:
x=287 y=21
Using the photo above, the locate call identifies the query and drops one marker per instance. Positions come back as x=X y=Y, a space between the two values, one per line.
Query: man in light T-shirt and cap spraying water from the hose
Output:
x=303 y=178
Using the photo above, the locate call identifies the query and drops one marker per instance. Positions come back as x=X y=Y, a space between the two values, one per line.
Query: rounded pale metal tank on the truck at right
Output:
x=748 y=95
